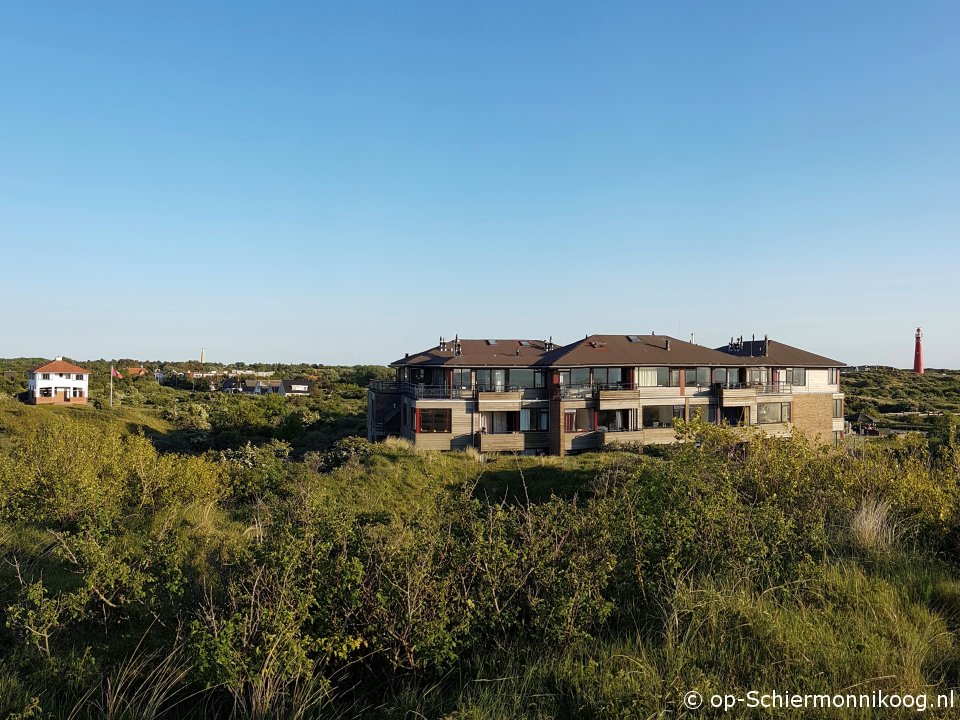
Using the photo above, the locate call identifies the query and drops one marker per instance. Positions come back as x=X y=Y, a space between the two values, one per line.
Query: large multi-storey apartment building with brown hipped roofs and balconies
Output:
x=532 y=397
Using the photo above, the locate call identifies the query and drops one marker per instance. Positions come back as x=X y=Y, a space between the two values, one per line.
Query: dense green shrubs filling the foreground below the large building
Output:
x=279 y=596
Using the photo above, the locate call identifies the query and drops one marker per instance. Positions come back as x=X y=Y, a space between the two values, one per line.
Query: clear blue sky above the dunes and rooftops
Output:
x=345 y=182
